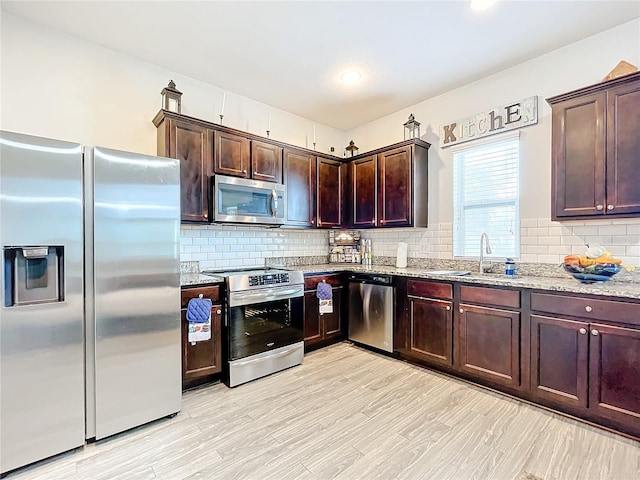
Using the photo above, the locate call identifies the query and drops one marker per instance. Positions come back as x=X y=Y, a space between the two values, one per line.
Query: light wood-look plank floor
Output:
x=347 y=413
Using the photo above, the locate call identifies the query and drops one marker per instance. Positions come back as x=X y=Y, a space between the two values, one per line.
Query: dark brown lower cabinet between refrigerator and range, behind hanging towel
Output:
x=201 y=360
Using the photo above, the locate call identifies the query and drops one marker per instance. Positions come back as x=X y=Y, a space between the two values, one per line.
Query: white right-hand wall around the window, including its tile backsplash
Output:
x=568 y=68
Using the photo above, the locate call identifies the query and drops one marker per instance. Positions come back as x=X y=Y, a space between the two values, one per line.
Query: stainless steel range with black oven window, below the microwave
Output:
x=263 y=323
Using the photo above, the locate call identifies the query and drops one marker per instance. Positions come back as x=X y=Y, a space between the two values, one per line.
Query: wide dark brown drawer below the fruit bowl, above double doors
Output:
x=590 y=308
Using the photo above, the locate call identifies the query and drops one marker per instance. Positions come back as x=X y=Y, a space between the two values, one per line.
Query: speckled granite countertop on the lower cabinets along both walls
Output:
x=552 y=284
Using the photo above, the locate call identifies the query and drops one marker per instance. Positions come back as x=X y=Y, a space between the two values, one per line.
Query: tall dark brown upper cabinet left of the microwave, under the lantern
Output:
x=189 y=143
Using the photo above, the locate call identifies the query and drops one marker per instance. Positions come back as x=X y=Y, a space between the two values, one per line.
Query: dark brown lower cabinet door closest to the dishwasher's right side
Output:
x=431 y=329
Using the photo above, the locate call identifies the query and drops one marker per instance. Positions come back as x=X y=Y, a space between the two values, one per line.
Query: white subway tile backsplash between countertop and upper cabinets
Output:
x=541 y=241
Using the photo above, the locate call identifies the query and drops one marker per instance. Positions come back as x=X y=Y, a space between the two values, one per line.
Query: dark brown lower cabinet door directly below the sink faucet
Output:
x=489 y=344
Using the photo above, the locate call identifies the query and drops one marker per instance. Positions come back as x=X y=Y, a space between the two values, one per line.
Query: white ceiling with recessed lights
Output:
x=290 y=54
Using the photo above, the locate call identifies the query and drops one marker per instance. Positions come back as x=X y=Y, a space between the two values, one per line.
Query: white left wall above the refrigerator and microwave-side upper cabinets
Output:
x=58 y=86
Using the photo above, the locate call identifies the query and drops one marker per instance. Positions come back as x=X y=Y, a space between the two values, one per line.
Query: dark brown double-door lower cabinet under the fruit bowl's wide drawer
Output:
x=591 y=368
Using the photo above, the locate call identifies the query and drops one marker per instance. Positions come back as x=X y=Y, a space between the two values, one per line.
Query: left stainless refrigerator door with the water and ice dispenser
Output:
x=41 y=342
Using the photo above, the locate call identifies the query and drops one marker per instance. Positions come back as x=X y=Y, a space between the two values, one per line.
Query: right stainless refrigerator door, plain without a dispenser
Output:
x=135 y=267
